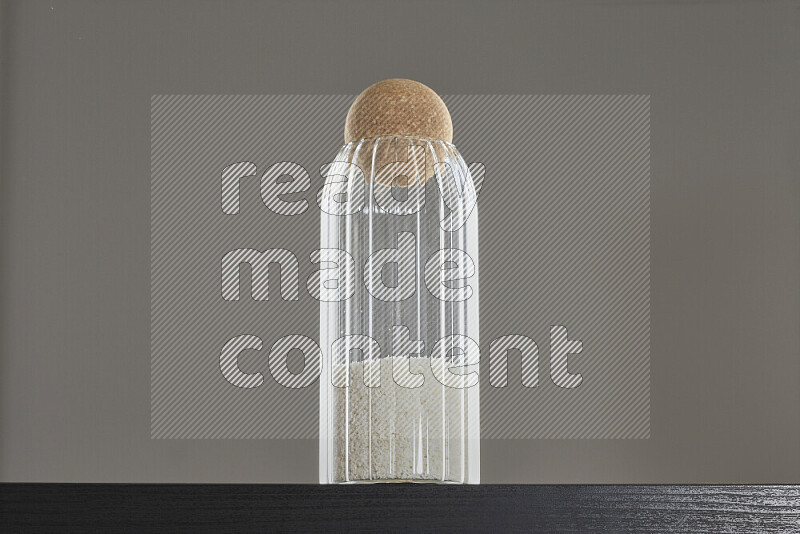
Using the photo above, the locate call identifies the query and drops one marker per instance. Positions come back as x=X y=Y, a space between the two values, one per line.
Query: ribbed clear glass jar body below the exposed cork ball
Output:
x=399 y=399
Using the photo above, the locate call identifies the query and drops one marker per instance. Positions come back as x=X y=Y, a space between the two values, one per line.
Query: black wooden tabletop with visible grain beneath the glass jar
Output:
x=260 y=508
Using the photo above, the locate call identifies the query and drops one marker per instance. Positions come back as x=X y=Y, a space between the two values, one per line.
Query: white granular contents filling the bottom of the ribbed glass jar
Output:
x=398 y=433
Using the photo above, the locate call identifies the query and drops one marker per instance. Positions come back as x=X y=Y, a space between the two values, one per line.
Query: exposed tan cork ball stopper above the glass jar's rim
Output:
x=398 y=107
